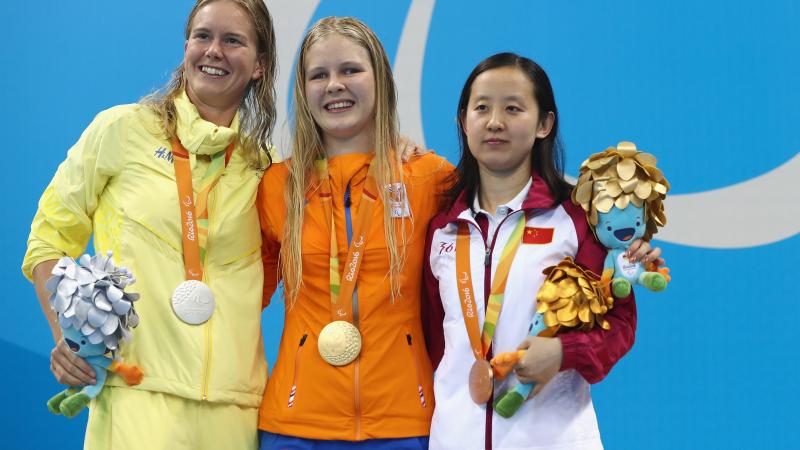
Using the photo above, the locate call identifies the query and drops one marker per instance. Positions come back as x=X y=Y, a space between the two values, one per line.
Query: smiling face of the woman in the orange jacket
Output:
x=340 y=92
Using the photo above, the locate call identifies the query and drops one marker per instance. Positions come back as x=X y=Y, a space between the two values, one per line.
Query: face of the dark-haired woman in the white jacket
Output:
x=502 y=120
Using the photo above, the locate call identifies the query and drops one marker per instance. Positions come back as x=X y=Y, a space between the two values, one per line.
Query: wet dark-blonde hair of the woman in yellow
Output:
x=257 y=109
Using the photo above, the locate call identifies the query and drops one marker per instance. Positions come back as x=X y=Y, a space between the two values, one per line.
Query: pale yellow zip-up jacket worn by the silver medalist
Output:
x=118 y=184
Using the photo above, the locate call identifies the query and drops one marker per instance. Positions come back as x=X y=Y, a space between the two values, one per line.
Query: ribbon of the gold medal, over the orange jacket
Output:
x=343 y=283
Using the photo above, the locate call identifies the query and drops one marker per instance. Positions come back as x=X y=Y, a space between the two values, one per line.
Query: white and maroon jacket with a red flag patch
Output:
x=561 y=416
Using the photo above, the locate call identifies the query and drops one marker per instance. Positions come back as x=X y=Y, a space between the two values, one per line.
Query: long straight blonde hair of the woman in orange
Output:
x=307 y=147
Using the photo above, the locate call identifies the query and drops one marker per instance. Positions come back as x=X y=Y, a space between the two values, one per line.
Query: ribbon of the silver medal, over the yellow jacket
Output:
x=194 y=220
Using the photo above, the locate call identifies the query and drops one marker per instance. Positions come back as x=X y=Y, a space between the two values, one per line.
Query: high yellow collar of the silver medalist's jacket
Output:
x=199 y=136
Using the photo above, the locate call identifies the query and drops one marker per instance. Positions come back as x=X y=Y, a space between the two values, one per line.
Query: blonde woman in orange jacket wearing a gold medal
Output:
x=344 y=225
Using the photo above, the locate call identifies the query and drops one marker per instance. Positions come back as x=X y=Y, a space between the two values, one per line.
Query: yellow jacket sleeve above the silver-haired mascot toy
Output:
x=63 y=222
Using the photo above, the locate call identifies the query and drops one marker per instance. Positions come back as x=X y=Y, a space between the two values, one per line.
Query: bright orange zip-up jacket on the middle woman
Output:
x=377 y=396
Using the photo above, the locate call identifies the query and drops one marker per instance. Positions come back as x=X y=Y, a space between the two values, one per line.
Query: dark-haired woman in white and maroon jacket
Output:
x=511 y=166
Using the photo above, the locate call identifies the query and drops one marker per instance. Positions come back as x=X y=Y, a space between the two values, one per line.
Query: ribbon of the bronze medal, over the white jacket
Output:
x=480 y=343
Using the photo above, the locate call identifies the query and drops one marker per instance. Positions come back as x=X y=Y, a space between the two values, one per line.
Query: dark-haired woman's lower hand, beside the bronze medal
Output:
x=541 y=362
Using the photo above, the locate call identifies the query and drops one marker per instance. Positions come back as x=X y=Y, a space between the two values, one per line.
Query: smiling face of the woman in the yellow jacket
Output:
x=220 y=56
